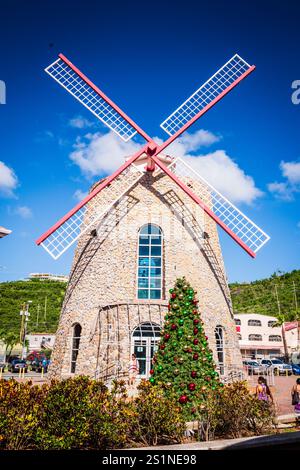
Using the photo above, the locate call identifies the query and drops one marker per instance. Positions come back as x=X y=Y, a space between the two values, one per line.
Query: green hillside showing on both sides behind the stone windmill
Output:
x=47 y=296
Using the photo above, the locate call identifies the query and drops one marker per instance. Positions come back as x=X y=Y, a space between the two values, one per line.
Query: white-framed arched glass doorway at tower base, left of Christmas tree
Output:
x=145 y=338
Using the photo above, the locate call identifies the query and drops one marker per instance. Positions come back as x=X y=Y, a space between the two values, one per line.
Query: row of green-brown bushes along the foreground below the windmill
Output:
x=81 y=413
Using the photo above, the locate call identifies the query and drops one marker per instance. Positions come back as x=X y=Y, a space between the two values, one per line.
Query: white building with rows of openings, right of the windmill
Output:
x=258 y=338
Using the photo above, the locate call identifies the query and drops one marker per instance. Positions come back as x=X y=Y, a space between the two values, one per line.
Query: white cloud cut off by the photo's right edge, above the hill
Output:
x=286 y=190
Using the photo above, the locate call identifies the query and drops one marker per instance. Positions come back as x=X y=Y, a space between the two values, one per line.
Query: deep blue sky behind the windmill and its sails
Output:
x=148 y=57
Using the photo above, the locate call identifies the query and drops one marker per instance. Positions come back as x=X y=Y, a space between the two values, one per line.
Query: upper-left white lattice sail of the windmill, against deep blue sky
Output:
x=90 y=98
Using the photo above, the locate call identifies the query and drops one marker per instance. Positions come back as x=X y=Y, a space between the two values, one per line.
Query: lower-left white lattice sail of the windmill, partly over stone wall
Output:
x=90 y=214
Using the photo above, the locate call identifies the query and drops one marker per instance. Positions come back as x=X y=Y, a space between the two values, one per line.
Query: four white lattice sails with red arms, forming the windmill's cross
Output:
x=91 y=213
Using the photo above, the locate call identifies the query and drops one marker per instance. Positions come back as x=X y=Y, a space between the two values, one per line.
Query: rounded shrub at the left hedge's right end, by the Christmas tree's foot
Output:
x=160 y=419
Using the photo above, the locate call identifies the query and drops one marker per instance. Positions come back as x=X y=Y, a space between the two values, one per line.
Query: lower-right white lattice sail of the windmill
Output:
x=243 y=227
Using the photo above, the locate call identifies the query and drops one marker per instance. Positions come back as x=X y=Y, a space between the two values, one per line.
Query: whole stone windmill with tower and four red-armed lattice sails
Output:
x=154 y=220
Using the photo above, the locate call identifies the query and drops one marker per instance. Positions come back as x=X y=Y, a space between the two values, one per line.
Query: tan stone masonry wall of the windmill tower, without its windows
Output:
x=104 y=272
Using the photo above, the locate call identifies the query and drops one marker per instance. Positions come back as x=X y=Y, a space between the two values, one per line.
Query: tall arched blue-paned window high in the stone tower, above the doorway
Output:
x=150 y=263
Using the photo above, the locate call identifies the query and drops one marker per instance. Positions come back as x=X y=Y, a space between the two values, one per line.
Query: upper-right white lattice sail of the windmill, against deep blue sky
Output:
x=211 y=89
